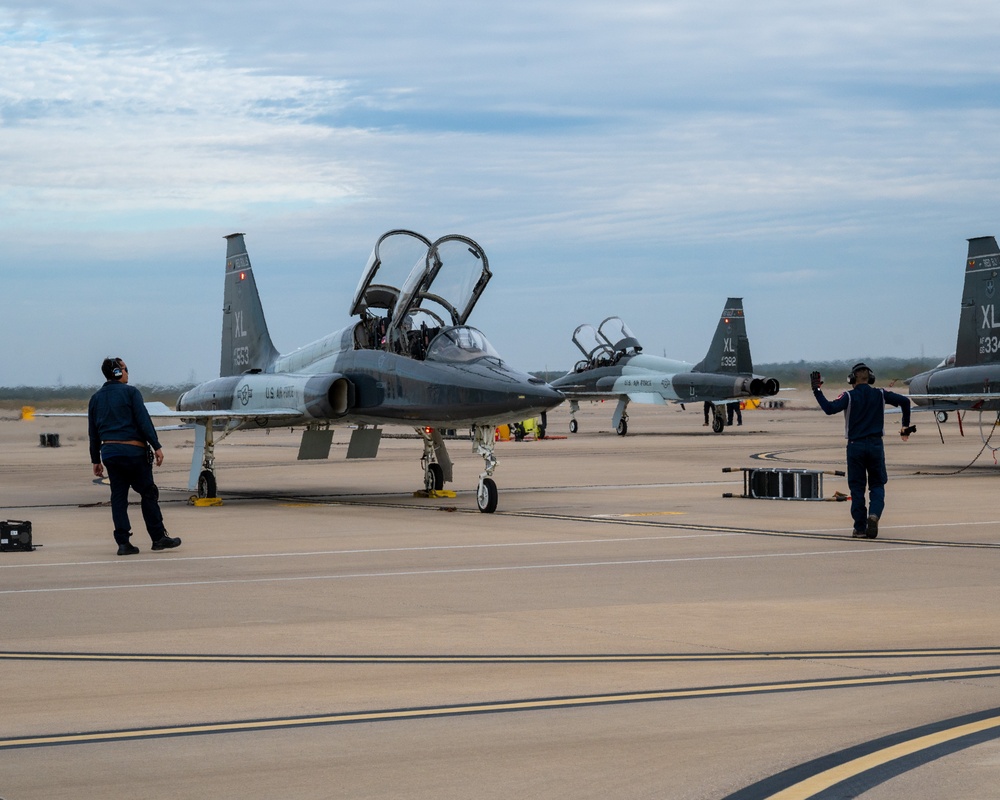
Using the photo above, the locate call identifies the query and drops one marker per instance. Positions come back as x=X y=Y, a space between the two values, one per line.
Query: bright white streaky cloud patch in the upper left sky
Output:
x=91 y=131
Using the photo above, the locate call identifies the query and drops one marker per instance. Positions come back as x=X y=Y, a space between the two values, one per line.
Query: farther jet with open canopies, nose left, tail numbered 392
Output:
x=614 y=367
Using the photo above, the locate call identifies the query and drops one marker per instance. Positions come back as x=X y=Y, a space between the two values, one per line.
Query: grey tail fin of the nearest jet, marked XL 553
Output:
x=246 y=344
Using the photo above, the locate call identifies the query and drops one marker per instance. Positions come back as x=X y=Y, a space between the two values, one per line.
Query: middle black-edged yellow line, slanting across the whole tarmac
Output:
x=540 y=704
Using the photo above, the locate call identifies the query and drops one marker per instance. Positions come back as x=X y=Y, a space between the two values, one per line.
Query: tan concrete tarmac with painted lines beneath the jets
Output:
x=618 y=628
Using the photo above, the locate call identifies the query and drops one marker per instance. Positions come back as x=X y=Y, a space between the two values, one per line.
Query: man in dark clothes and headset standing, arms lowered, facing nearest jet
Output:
x=123 y=439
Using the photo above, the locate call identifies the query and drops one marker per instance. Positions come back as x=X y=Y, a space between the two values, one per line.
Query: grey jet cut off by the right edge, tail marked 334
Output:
x=971 y=378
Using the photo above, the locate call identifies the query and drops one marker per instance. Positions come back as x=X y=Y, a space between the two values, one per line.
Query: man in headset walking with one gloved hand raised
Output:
x=864 y=424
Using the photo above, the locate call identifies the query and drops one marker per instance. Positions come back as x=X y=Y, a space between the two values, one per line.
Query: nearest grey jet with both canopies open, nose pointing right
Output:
x=408 y=359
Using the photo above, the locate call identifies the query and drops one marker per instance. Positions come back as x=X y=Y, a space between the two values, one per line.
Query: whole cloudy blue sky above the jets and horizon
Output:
x=826 y=162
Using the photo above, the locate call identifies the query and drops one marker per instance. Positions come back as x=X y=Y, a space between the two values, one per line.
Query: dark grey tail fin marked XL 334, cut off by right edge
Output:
x=978 y=323
